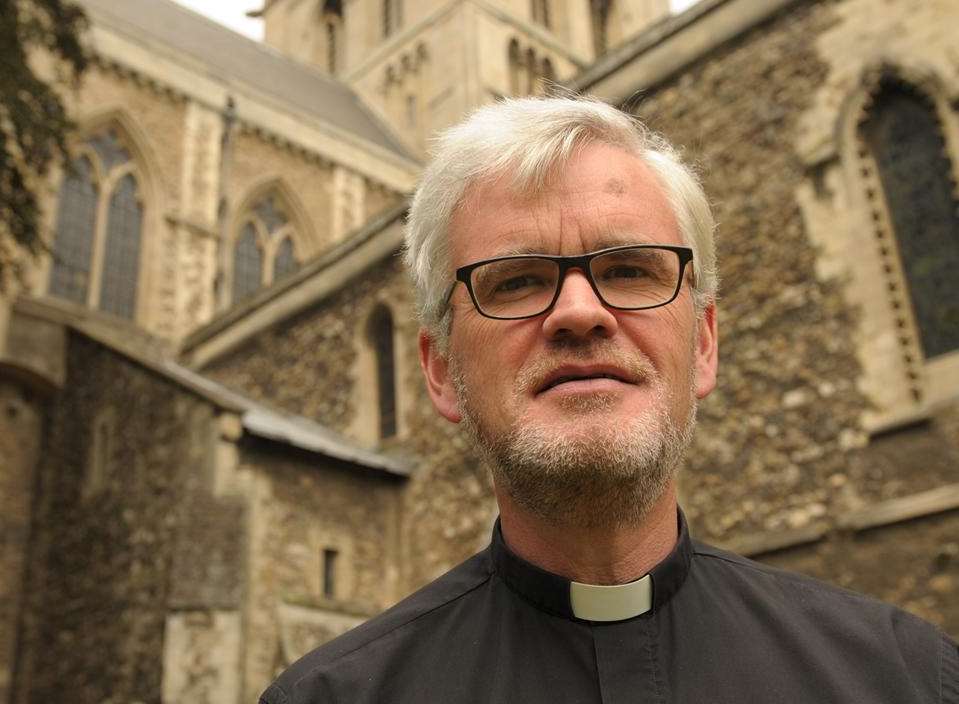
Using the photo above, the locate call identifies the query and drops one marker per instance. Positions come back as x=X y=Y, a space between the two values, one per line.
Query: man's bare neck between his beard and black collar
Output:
x=592 y=555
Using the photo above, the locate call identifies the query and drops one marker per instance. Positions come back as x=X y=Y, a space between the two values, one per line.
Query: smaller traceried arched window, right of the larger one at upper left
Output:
x=264 y=249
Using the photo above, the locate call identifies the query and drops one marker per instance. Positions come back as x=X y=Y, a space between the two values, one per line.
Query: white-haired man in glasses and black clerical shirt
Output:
x=565 y=268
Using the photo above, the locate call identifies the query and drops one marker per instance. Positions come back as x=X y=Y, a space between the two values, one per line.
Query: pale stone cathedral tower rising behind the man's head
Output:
x=421 y=64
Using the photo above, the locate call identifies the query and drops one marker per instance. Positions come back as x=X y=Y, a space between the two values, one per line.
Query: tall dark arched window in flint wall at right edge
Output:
x=903 y=134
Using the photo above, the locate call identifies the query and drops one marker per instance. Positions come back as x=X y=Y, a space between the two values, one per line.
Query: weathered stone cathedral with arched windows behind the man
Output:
x=215 y=448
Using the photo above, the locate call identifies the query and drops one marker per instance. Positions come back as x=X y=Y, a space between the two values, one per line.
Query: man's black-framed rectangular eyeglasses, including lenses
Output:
x=633 y=277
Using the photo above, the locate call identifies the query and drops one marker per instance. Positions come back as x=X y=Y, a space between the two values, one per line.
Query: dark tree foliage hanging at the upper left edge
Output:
x=33 y=120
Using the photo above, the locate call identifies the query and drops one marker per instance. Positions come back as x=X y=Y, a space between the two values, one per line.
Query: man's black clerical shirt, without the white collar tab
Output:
x=717 y=629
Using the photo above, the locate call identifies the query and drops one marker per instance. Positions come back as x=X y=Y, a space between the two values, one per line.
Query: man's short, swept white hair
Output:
x=528 y=138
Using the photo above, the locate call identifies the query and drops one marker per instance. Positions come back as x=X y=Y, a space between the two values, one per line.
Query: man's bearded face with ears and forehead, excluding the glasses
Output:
x=600 y=446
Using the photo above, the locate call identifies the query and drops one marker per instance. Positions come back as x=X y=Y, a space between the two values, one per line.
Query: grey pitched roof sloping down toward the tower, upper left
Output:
x=232 y=57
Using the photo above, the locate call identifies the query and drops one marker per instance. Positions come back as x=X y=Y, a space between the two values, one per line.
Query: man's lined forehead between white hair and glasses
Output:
x=602 y=196
